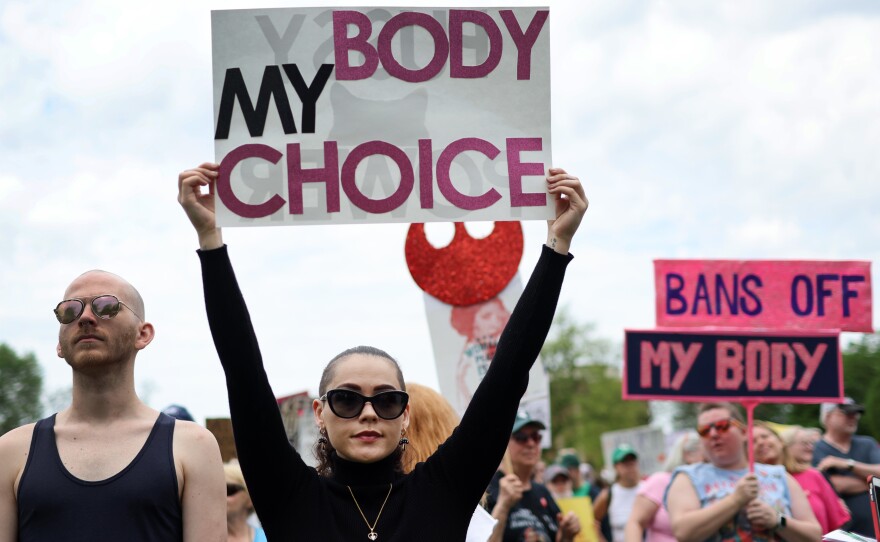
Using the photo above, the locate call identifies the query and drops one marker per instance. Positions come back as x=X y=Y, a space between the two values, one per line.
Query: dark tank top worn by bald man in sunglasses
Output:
x=140 y=503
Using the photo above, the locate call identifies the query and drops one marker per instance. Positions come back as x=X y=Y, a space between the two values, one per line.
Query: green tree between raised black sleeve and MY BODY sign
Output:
x=585 y=389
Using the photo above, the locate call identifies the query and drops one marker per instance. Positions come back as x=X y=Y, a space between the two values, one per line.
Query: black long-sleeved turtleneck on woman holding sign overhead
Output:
x=432 y=503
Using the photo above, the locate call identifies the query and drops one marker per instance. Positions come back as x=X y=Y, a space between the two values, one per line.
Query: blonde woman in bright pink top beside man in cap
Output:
x=771 y=450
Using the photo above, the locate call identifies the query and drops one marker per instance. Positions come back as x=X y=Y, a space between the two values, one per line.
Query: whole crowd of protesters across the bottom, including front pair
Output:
x=393 y=460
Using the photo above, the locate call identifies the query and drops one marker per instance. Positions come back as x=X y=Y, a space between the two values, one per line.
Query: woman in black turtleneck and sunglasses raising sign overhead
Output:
x=358 y=488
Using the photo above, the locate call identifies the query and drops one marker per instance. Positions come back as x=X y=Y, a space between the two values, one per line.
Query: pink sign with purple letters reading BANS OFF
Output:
x=764 y=294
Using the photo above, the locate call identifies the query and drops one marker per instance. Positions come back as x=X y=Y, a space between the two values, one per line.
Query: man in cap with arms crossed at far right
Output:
x=848 y=459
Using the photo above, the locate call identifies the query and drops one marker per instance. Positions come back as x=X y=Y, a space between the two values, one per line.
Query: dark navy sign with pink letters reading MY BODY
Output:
x=746 y=366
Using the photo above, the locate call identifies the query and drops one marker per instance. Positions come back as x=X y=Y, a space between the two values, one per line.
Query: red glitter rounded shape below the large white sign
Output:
x=467 y=270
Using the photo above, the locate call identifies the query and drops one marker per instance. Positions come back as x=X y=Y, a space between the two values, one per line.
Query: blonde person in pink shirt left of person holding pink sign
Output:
x=649 y=519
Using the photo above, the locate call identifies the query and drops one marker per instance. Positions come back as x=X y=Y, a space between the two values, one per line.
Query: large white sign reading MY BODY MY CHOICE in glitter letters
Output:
x=385 y=114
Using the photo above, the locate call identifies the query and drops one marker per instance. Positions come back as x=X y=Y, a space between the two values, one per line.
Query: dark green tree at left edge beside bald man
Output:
x=21 y=383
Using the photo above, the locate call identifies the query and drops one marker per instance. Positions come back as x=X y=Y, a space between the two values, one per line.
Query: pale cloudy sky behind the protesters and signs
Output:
x=739 y=129
